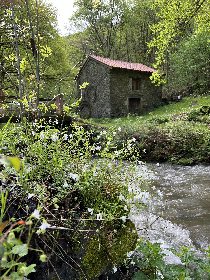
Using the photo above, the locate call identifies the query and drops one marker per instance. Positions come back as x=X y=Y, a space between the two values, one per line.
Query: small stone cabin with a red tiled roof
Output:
x=116 y=88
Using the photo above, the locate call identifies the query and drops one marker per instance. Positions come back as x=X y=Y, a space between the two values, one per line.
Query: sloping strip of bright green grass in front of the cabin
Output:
x=165 y=111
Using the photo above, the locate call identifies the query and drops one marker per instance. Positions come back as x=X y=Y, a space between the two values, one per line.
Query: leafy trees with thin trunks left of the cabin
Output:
x=33 y=57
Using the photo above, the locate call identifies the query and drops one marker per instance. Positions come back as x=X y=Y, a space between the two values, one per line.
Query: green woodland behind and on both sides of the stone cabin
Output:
x=172 y=36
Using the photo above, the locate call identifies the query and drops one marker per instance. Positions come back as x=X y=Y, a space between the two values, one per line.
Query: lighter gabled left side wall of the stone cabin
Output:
x=96 y=97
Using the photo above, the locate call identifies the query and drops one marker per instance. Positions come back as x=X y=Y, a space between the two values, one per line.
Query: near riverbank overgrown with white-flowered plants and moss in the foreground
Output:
x=67 y=216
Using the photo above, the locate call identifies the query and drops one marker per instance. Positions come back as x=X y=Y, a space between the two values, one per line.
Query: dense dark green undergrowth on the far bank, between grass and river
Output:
x=178 y=142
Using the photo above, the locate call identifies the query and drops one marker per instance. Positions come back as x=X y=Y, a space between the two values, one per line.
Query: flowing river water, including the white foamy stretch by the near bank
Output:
x=183 y=215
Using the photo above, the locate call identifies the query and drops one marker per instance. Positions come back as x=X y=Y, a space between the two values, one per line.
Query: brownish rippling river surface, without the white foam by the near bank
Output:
x=186 y=196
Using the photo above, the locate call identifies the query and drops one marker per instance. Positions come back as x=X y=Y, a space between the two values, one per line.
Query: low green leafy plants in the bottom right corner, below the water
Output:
x=151 y=264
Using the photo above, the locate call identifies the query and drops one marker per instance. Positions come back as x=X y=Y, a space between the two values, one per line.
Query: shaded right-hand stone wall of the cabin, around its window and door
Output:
x=121 y=91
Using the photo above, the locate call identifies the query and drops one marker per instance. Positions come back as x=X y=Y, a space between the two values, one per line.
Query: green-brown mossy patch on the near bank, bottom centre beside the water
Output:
x=109 y=247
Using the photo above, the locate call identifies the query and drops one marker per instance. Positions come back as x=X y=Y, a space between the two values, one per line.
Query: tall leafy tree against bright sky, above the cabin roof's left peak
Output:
x=101 y=19
